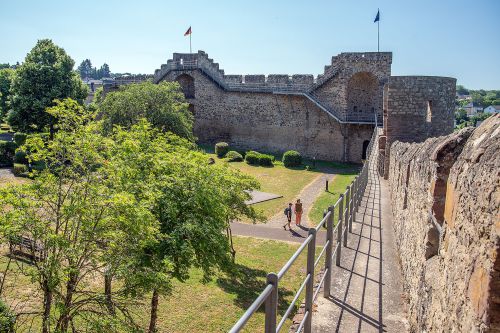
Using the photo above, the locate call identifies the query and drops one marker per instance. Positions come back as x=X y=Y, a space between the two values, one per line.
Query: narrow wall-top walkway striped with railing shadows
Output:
x=366 y=290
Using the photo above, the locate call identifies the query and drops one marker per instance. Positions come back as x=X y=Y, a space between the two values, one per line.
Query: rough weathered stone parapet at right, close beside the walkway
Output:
x=445 y=195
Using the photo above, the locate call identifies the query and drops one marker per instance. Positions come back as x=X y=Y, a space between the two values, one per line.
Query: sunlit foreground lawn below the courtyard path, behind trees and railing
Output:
x=215 y=306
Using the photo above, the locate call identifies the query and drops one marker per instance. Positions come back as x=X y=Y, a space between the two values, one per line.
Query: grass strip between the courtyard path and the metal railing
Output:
x=327 y=199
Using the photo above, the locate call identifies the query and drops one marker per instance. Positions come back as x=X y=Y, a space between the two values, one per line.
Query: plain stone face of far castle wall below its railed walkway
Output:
x=269 y=122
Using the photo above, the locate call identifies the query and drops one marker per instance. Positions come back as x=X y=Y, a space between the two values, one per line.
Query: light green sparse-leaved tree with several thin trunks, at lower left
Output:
x=76 y=220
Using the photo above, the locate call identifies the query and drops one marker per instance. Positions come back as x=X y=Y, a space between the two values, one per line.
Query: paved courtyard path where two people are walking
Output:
x=273 y=229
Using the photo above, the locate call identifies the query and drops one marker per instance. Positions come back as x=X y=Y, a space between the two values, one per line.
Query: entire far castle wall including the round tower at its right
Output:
x=329 y=117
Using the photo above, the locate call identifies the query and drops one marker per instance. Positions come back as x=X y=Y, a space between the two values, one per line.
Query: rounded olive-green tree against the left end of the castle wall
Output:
x=163 y=105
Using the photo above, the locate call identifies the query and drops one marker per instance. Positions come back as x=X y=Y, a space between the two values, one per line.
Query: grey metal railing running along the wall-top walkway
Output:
x=351 y=199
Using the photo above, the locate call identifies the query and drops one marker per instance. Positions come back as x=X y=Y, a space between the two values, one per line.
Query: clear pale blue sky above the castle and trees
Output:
x=427 y=37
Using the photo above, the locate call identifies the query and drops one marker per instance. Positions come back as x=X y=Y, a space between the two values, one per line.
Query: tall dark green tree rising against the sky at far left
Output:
x=45 y=75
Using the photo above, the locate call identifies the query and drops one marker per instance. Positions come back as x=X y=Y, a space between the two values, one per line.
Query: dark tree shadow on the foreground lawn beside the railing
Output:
x=247 y=283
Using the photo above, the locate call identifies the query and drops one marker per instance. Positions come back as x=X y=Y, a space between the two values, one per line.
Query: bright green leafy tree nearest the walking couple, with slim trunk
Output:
x=193 y=203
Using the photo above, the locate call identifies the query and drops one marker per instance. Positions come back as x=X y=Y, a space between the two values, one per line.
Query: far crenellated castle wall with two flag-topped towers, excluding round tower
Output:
x=328 y=117
